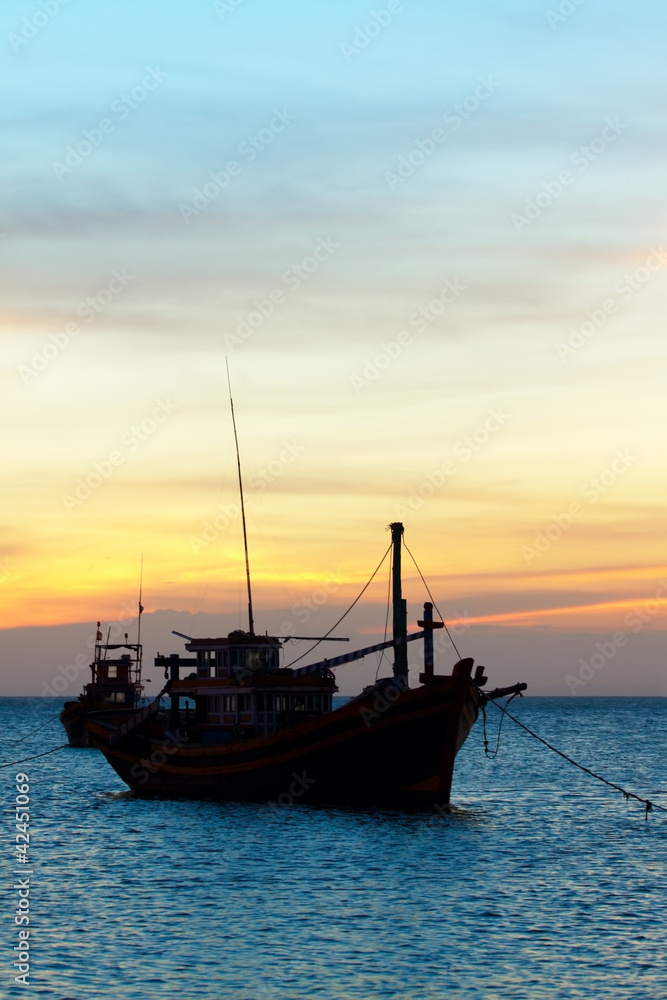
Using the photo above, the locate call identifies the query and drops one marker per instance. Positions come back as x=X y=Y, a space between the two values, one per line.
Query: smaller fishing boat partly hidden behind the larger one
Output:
x=115 y=688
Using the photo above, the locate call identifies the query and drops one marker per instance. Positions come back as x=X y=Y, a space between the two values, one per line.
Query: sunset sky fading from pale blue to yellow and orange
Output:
x=427 y=237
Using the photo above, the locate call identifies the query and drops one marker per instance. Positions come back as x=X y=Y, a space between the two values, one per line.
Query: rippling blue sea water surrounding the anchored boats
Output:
x=542 y=883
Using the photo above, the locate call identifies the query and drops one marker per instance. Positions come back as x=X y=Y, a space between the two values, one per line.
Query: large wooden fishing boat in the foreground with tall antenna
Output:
x=242 y=726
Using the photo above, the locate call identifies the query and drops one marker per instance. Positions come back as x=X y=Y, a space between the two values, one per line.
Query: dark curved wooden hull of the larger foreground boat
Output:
x=372 y=751
